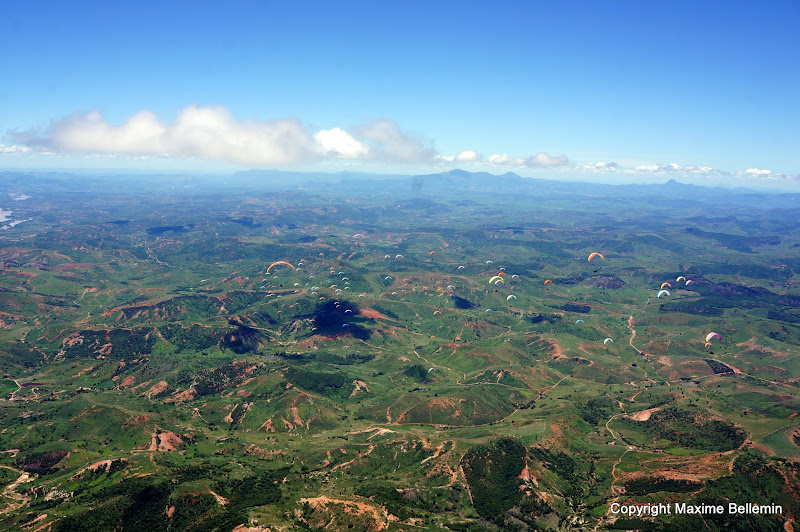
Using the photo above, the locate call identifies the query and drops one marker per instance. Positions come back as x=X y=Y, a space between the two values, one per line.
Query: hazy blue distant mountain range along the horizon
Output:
x=443 y=182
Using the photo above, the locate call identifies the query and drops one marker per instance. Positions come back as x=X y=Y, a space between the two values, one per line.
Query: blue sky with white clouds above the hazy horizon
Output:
x=704 y=92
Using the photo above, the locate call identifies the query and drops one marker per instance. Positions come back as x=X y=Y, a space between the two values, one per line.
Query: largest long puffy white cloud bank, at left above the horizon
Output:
x=213 y=133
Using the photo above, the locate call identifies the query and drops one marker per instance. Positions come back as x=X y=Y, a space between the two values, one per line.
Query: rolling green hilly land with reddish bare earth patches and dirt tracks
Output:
x=382 y=367
